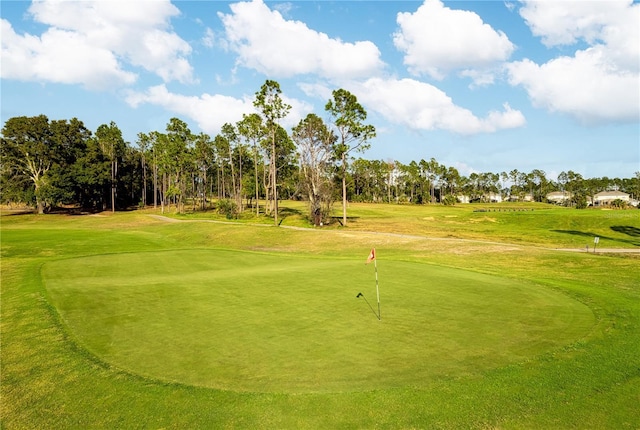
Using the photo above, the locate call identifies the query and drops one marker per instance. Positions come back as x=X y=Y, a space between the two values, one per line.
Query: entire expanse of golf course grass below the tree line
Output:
x=129 y=321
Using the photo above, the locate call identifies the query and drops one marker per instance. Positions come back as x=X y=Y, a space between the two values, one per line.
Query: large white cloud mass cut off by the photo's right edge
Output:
x=595 y=85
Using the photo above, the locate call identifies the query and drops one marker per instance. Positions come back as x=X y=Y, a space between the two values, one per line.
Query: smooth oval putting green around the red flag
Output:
x=261 y=322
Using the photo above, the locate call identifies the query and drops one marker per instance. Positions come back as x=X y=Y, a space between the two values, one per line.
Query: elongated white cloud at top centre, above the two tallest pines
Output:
x=268 y=43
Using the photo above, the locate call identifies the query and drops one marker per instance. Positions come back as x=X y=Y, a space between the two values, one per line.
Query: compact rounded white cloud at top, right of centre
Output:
x=436 y=40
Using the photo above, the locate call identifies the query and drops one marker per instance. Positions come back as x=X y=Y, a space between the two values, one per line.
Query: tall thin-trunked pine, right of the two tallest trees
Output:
x=348 y=118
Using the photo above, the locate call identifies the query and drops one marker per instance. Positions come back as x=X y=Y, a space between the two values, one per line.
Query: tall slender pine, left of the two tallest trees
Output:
x=272 y=108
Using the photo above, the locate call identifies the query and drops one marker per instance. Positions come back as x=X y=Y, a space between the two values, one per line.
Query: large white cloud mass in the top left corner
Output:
x=91 y=42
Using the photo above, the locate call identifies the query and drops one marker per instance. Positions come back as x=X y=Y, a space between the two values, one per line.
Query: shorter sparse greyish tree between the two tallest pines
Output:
x=315 y=143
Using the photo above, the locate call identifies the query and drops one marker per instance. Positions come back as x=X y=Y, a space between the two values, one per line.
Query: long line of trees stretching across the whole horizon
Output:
x=48 y=163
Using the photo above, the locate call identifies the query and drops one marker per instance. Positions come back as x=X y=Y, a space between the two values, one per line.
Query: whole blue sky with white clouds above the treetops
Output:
x=484 y=86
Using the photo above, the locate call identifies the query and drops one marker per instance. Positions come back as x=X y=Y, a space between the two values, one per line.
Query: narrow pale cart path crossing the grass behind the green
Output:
x=409 y=236
